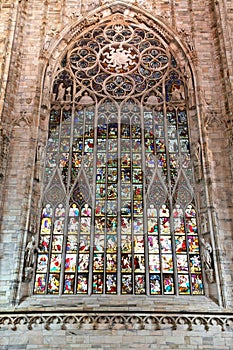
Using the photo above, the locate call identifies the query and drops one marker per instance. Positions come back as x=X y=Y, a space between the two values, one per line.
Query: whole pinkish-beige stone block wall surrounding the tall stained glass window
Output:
x=30 y=32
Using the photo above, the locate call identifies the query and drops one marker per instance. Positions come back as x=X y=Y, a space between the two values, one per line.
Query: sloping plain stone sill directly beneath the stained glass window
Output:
x=140 y=303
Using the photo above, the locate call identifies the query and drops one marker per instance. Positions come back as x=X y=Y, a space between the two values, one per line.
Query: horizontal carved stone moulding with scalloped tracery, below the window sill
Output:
x=115 y=320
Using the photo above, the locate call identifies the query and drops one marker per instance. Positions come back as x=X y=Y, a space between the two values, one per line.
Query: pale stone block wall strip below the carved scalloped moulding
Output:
x=164 y=339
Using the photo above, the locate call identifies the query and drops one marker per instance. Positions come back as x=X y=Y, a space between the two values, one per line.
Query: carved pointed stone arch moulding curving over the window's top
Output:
x=66 y=37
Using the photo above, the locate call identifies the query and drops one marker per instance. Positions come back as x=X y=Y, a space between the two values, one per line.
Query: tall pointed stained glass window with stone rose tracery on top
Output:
x=119 y=213
